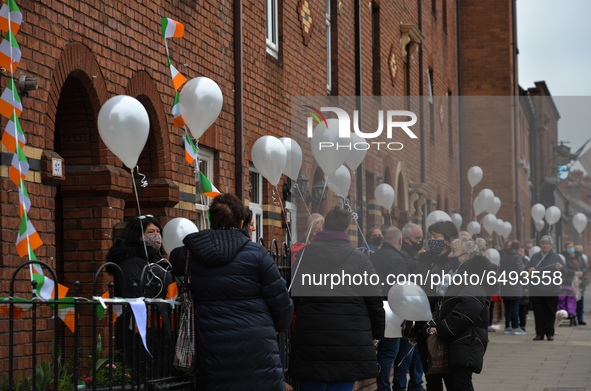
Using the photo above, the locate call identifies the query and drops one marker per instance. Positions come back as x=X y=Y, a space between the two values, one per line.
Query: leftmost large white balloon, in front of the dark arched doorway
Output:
x=124 y=125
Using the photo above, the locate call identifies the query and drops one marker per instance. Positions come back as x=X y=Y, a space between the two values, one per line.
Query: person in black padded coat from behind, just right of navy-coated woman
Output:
x=338 y=315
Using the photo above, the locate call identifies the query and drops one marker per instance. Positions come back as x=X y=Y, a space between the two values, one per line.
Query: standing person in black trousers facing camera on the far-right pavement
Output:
x=544 y=297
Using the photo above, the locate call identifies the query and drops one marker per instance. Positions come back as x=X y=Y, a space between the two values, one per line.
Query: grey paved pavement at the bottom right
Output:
x=517 y=363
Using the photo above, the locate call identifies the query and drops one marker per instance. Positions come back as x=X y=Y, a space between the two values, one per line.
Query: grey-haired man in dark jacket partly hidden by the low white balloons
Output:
x=389 y=263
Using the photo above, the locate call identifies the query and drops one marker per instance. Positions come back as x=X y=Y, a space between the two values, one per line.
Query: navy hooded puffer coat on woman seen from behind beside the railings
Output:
x=240 y=302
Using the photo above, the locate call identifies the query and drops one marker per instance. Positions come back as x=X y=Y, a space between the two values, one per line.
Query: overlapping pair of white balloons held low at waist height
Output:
x=405 y=302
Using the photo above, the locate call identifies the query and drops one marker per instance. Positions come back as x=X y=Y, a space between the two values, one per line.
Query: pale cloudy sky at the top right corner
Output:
x=554 y=42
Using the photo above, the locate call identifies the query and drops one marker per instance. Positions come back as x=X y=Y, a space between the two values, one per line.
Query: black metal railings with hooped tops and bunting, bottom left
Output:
x=104 y=351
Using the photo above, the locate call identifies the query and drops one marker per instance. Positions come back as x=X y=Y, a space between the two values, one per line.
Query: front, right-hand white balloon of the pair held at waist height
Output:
x=409 y=301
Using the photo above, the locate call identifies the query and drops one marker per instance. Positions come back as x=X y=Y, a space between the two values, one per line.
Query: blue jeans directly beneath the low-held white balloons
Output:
x=408 y=360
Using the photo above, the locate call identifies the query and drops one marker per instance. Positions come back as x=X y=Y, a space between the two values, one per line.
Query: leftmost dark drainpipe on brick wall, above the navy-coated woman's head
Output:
x=238 y=100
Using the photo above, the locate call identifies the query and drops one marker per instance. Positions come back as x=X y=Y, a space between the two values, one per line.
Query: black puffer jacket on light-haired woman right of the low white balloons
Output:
x=462 y=316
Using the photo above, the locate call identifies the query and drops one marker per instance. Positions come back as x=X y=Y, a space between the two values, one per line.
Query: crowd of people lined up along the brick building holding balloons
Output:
x=337 y=333
